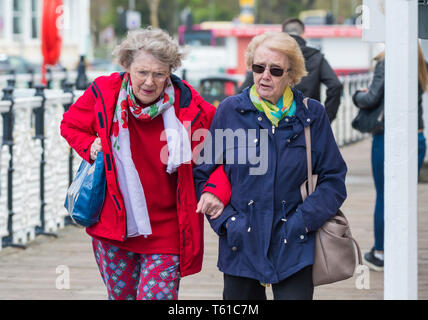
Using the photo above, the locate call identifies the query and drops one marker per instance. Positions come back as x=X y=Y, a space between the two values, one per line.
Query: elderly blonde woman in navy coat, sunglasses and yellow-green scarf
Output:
x=266 y=233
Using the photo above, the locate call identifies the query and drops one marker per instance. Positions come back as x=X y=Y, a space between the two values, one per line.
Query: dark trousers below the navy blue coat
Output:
x=298 y=286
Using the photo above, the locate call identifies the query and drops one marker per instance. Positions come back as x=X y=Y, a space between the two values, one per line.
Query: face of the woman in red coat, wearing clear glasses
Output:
x=148 y=76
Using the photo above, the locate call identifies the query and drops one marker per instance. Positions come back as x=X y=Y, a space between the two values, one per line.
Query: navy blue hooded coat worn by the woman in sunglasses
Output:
x=262 y=232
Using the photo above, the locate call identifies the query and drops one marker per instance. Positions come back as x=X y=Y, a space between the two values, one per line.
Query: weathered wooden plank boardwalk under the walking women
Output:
x=41 y=270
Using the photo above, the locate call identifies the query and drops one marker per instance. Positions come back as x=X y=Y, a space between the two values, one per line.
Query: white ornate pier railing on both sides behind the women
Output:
x=36 y=163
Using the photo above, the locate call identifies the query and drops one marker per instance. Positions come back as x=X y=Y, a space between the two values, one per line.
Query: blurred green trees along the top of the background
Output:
x=166 y=13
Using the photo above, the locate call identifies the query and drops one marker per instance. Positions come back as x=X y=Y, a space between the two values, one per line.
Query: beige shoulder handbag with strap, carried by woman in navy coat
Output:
x=335 y=248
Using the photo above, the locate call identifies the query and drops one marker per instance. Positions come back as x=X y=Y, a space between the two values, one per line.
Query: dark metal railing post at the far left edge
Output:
x=8 y=123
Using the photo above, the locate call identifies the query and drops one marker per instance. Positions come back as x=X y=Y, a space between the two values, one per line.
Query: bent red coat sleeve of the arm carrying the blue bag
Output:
x=78 y=125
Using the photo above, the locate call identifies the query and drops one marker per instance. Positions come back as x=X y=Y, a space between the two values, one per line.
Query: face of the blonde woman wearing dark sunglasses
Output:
x=270 y=87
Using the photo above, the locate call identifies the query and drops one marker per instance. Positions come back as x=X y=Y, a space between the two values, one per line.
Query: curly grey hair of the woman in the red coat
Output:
x=152 y=40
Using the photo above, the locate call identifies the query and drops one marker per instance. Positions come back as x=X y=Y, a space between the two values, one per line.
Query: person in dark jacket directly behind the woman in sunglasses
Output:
x=318 y=68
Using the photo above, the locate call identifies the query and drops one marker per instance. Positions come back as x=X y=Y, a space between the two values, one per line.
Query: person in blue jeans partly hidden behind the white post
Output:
x=370 y=98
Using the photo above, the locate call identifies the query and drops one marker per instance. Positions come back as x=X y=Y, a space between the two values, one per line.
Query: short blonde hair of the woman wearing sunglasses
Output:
x=283 y=43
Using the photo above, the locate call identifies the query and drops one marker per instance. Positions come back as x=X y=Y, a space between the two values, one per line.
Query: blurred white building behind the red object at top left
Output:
x=20 y=31
